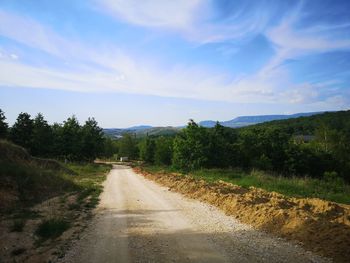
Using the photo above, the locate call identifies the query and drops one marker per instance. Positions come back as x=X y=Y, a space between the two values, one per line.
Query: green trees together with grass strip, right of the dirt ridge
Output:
x=305 y=157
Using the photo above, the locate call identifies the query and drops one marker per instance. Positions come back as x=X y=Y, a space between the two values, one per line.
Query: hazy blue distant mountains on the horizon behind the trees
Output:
x=143 y=130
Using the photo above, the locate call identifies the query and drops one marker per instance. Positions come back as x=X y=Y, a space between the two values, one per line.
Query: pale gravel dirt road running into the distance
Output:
x=140 y=221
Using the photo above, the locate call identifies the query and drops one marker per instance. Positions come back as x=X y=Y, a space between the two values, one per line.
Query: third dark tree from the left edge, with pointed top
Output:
x=42 y=137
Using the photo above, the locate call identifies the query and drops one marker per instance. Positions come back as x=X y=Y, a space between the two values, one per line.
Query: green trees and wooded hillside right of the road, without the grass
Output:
x=308 y=146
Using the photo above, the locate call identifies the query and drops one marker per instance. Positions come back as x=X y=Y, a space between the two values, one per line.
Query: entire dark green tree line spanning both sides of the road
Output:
x=308 y=146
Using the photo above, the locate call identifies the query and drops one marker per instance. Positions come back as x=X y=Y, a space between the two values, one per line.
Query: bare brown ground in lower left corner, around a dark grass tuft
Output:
x=19 y=241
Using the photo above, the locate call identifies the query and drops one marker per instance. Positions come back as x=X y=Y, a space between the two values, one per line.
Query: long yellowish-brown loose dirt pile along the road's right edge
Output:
x=321 y=226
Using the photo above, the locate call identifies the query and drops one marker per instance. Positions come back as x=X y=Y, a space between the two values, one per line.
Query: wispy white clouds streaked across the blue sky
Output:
x=110 y=68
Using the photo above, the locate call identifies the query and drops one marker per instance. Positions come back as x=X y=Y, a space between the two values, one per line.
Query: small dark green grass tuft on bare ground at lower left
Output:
x=52 y=228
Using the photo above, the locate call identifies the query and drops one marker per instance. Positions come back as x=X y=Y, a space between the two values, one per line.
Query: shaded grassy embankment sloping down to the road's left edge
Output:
x=44 y=197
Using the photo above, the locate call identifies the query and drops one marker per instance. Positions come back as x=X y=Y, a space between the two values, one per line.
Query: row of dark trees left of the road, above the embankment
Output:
x=67 y=141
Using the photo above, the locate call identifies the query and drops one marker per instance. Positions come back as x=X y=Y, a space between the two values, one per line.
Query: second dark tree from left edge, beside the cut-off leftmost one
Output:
x=21 y=132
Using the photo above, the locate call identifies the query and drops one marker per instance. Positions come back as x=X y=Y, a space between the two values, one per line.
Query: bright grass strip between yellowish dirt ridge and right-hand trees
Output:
x=333 y=190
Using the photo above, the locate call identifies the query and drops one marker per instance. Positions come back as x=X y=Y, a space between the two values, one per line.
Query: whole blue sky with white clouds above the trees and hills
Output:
x=162 y=62
